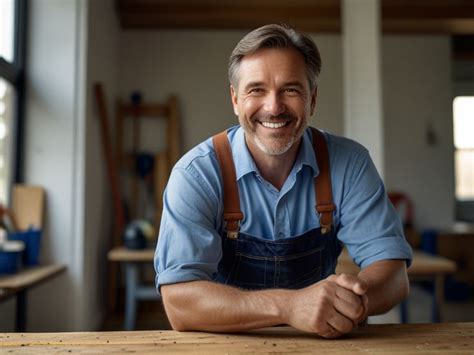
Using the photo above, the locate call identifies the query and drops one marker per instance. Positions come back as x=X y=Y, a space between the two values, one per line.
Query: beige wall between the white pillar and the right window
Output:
x=418 y=93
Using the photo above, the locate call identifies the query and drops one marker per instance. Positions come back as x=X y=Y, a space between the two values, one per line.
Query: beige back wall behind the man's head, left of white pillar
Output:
x=193 y=65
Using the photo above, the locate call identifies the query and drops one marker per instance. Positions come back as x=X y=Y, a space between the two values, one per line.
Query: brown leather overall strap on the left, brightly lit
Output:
x=232 y=213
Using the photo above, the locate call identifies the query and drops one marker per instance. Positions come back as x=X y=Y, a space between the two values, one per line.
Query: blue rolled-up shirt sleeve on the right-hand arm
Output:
x=369 y=225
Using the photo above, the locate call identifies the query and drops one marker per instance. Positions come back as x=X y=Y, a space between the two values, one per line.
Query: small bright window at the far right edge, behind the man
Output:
x=463 y=114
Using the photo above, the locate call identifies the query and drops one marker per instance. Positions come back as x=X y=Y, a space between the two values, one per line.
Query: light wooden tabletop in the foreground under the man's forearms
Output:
x=441 y=338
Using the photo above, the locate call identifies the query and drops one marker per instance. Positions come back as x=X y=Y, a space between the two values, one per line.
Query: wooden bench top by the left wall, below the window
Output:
x=27 y=277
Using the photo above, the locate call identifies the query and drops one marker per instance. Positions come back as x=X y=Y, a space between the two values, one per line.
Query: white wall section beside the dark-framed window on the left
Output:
x=54 y=153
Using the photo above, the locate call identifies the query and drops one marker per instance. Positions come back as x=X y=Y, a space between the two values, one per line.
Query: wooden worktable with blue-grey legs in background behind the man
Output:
x=424 y=266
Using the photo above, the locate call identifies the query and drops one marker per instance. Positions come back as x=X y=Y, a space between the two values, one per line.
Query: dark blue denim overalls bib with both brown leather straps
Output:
x=249 y=262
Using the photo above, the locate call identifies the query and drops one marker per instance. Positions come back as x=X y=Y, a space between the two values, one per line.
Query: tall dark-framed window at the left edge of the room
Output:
x=12 y=59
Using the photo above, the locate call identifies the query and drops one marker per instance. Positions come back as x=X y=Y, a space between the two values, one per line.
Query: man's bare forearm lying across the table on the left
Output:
x=209 y=306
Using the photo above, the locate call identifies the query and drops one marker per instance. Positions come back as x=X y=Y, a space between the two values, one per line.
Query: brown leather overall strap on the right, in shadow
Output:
x=322 y=183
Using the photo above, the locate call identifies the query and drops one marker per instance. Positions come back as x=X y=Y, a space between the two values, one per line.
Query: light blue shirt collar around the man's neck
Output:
x=244 y=163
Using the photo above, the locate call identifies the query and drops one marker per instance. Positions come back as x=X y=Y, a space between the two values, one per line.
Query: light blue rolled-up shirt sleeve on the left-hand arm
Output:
x=189 y=246
